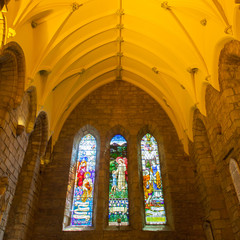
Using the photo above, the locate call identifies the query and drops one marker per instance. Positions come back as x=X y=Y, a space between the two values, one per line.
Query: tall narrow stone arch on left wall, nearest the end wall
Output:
x=20 y=220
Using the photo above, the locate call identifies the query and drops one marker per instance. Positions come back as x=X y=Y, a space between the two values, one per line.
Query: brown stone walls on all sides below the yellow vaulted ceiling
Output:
x=199 y=190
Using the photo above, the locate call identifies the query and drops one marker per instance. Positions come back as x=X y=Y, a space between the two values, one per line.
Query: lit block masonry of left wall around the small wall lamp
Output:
x=12 y=151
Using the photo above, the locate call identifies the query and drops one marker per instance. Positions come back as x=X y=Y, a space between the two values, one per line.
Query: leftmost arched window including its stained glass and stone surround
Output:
x=80 y=199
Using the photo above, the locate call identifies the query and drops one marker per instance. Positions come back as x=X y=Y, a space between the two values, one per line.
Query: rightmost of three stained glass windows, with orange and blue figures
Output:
x=152 y=183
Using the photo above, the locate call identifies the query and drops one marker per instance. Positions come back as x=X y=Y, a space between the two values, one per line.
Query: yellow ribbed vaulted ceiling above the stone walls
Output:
x=170 y=49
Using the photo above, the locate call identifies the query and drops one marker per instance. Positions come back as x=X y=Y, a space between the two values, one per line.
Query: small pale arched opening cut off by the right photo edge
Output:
x=235 y=174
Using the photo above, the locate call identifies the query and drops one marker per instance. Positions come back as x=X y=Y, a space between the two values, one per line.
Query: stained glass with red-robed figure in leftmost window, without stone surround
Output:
x=82 y=207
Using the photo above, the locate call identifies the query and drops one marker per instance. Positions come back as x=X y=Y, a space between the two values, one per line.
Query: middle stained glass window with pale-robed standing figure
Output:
x=118 y=187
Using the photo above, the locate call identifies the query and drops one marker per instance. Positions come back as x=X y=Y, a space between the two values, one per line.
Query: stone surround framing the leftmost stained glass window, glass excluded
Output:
x=87 y=129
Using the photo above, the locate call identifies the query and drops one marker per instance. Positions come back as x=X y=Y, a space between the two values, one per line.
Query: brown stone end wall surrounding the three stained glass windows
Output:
x=121 y=108
